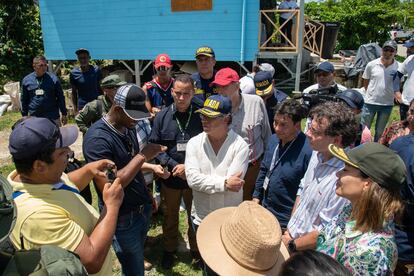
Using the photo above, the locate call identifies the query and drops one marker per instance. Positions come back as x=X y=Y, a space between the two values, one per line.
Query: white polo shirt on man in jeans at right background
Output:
x=380 y=89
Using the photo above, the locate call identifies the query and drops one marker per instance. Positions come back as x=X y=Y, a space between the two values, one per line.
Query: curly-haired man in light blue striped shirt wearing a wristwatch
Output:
x=316 y=202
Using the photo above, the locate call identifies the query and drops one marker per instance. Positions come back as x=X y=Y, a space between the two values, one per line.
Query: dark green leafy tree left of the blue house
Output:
x=20 y=38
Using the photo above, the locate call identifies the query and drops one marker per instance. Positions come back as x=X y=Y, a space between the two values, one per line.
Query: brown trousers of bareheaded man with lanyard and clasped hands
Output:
x=171 y=199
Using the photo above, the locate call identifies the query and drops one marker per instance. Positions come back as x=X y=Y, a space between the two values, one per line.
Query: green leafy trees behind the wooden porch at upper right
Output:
x=362 y=21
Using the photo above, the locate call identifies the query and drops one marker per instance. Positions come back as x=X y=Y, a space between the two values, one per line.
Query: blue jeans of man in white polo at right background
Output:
x=383 y=114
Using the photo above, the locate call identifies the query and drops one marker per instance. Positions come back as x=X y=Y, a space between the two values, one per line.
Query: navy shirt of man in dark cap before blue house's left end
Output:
x=87 y=84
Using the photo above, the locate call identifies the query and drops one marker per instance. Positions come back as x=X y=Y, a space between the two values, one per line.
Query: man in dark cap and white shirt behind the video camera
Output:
x=325 y=78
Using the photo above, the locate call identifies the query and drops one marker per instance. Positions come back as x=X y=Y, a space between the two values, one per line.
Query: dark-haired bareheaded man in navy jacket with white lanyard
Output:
x=284 y=164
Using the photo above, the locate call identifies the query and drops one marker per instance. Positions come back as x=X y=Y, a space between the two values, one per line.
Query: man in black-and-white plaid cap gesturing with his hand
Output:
x=114 y=137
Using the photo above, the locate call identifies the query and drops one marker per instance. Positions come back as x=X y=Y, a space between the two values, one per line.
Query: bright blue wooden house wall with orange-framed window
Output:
x=141 y=29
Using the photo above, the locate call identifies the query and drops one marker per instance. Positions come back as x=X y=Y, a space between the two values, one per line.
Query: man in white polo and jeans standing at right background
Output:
x=378 y=81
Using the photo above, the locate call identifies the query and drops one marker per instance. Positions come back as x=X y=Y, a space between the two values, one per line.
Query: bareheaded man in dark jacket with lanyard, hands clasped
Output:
x=174 y=127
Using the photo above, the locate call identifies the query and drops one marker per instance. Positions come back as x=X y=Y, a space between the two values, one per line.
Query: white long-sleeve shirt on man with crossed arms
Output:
x=206 y=172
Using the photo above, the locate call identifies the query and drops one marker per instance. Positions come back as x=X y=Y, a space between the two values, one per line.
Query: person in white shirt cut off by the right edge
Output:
x=406 y=68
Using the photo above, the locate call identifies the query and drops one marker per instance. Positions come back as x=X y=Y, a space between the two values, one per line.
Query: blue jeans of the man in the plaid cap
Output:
x=128 y=243
